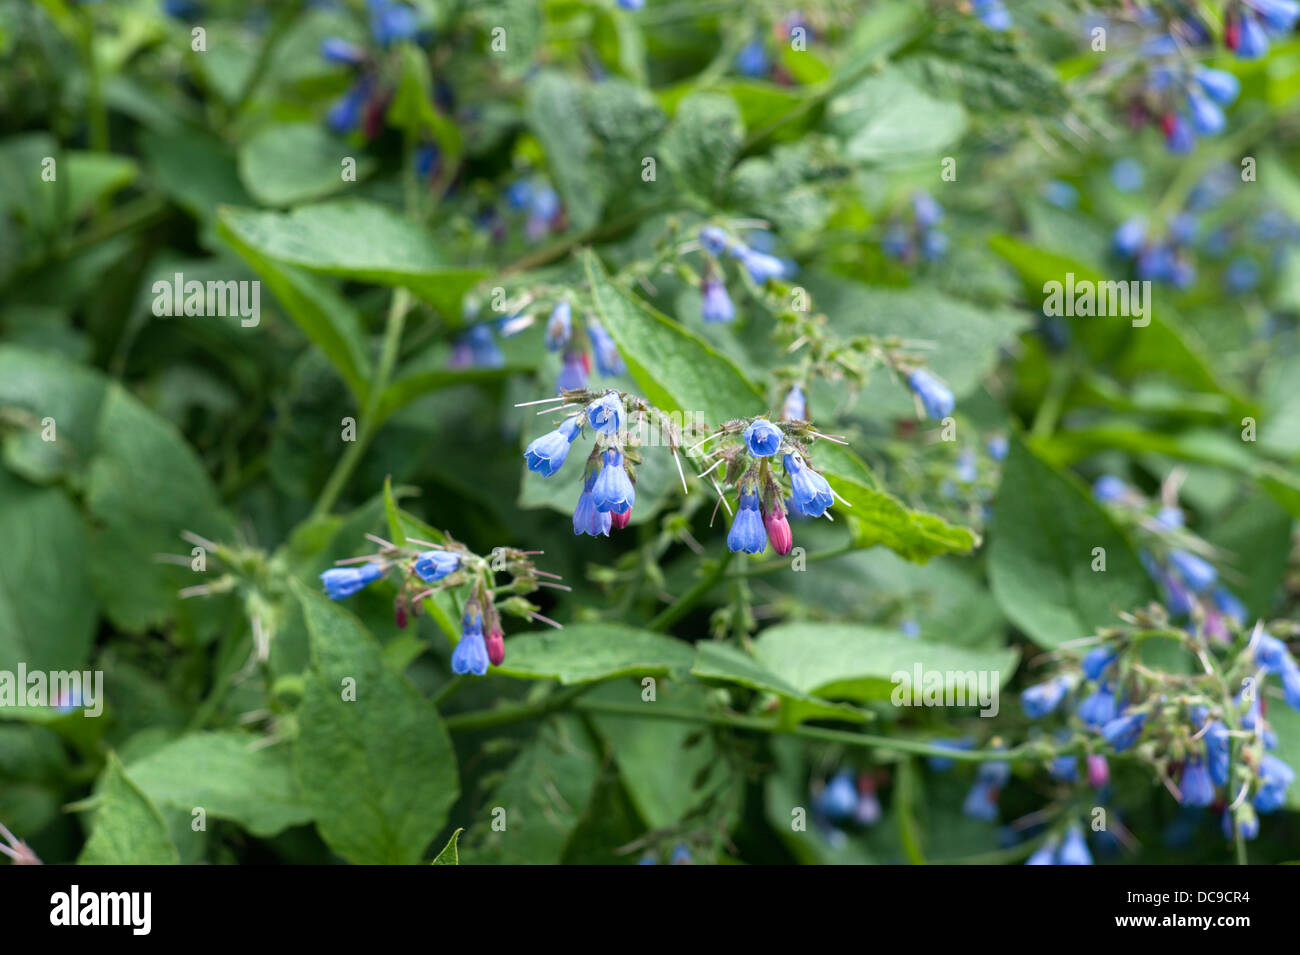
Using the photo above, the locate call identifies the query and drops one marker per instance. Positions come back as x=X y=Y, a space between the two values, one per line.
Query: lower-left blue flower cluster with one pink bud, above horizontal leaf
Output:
x=423 y=568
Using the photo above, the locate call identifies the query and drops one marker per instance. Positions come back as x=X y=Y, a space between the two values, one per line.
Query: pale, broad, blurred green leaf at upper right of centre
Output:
x=887 y=120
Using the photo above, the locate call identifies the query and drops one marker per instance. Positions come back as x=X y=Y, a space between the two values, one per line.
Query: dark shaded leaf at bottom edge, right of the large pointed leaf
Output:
x=544 y=796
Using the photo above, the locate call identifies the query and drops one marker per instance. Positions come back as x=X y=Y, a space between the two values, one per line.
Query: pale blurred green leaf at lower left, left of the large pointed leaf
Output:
x=224 y=775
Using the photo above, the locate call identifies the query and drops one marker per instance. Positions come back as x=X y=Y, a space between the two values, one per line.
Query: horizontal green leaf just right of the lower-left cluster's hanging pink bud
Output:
x=590 y=653
